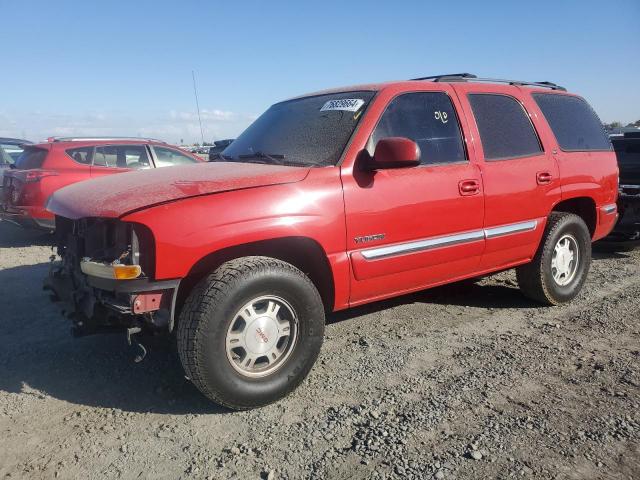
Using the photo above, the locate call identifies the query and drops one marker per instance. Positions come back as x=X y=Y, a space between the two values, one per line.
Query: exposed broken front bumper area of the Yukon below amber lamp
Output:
x=99 y=305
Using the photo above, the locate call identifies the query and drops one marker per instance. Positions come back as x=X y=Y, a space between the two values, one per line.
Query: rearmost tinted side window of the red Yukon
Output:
x=573 y=121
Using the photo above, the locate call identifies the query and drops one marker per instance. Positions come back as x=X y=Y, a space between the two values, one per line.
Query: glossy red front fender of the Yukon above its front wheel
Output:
x=188 y=230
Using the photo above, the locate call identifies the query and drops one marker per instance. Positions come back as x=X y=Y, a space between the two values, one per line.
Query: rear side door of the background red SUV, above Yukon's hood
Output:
x=110 y=159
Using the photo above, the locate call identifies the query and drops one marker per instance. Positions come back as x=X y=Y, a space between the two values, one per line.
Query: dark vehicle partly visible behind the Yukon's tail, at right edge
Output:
x=627 y=230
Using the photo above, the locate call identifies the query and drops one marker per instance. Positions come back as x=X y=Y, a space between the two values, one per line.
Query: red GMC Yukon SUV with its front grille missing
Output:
x=332 y=200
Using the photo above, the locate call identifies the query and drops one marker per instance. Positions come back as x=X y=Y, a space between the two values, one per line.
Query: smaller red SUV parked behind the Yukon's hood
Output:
x=43 y=168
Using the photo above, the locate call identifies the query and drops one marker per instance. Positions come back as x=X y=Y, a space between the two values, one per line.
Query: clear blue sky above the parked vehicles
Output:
x=125 y=67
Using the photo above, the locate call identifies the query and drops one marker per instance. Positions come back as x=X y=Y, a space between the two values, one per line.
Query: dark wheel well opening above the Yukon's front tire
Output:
x=304 y=253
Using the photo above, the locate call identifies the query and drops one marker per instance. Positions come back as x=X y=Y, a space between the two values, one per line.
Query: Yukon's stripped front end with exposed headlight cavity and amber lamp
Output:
x=103 y=276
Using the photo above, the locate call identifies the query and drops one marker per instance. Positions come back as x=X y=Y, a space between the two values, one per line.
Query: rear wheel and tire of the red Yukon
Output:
x=560 y=267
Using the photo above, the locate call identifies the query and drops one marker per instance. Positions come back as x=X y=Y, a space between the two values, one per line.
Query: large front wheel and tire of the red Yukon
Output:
x=250 y=332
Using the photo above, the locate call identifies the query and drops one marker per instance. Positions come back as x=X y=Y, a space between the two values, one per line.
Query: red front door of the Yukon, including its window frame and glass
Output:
x=409 y=228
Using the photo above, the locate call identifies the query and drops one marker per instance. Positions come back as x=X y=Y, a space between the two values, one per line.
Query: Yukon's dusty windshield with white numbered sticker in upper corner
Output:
x=309 y=131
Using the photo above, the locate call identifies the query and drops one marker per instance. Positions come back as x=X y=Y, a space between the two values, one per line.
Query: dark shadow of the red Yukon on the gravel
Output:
x=39 y=354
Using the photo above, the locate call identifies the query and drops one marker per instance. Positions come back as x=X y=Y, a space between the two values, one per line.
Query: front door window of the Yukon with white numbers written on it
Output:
x=427 y=118
